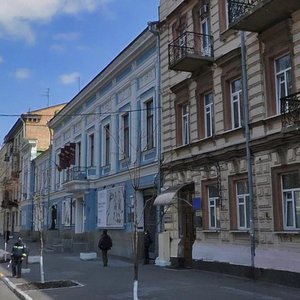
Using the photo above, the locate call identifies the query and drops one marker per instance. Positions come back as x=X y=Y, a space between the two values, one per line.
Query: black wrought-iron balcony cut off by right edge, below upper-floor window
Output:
x=290 y=110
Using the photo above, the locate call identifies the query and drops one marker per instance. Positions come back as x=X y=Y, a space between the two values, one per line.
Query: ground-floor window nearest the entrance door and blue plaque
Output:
x=214 y=208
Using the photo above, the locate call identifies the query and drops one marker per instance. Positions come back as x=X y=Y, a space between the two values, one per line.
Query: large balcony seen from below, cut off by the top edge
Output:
x=258 y=15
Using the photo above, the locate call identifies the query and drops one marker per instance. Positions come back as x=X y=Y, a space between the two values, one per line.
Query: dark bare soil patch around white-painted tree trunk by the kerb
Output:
x=48 y=285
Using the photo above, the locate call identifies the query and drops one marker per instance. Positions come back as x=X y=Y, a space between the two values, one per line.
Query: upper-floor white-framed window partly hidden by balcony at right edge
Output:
x=283 y=78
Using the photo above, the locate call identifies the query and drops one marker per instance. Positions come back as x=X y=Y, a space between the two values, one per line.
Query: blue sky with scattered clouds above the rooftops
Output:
x=50 y=49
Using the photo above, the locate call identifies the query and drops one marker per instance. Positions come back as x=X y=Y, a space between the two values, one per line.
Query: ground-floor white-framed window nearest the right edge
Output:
x=291 y=200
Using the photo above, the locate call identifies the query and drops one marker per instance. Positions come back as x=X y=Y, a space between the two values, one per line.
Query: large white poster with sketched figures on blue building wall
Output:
x=111 y=207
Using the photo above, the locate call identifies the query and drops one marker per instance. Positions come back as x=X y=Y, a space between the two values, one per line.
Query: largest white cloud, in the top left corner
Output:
x=18 y=16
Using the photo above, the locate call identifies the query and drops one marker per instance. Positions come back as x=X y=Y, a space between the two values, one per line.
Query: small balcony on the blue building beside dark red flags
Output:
x=77 y=178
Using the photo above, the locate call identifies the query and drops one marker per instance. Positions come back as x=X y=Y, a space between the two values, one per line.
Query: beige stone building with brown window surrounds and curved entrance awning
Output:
x=231 y=148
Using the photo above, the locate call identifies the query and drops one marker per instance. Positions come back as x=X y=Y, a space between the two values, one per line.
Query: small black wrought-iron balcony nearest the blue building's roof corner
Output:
x=190 y=51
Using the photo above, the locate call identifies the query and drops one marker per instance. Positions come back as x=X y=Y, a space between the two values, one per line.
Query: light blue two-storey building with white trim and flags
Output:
x=106 y=144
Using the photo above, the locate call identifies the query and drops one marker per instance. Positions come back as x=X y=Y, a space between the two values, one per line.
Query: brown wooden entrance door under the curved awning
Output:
x=186 y=226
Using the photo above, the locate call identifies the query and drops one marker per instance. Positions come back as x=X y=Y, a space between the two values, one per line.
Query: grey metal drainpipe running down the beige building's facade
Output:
x=248 y=150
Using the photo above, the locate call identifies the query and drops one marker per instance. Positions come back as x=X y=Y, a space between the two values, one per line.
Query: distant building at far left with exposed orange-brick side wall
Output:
x=28 y=137
